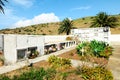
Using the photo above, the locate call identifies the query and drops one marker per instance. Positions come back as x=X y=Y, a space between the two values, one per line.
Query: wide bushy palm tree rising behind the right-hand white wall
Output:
x=103 y=20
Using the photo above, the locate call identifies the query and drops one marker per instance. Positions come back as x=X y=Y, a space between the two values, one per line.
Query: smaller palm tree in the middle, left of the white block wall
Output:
x=66 y=26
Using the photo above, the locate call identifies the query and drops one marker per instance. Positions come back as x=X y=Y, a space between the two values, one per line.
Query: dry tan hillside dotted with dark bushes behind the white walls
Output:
x=52 y=28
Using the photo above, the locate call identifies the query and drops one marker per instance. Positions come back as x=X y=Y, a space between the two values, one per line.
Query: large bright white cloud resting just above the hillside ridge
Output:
x=42 y=18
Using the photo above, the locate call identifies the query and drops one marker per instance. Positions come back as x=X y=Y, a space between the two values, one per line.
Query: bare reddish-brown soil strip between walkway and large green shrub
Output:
x=73 y=55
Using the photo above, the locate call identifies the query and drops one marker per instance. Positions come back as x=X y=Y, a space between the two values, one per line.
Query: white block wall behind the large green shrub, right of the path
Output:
x=88 y=34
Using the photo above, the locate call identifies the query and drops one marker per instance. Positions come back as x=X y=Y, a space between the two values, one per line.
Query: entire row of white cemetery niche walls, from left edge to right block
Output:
x=21 y=47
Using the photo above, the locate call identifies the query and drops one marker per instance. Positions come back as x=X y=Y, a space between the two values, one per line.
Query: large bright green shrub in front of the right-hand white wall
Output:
x=94 y=48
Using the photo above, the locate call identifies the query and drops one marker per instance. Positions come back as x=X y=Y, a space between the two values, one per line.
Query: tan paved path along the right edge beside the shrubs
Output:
x=114 y=62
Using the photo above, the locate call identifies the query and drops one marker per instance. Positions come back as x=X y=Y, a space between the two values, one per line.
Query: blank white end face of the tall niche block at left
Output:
x=10 y=49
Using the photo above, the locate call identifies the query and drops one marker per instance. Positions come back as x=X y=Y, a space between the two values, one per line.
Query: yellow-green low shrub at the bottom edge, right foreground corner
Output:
x=94 y=73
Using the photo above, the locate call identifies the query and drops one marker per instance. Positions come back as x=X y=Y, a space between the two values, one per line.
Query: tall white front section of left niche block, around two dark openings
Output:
x=12 y=43
